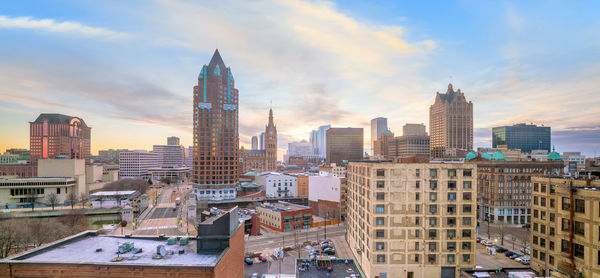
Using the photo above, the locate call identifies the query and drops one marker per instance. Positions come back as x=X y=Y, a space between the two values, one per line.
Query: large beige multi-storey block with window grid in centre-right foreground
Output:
x=412 y=219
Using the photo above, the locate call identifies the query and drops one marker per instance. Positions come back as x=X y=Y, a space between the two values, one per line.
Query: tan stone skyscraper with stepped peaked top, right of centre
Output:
x=451 y=125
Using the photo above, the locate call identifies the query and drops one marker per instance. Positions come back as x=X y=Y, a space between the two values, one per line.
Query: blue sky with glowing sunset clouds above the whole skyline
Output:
x=128 y=67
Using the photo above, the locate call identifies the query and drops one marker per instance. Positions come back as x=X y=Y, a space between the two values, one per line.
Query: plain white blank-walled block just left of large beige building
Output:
x=324 y=187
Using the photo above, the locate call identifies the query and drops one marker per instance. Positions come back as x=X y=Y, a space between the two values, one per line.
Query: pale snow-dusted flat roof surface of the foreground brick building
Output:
x=82 y=249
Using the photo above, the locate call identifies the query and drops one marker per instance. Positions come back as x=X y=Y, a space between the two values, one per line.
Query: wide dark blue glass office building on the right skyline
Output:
x=522 y=136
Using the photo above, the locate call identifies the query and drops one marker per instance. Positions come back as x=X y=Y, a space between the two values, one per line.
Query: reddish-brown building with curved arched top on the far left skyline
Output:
x=57 y=135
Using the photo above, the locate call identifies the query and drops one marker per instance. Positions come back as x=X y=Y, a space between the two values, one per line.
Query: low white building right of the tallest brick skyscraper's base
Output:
x=278 y=184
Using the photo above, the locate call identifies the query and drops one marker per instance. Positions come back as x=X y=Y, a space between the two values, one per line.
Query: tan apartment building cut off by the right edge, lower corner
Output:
x=565 y=230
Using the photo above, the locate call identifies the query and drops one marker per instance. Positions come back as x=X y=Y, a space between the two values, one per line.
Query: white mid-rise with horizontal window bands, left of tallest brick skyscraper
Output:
x=137 y=164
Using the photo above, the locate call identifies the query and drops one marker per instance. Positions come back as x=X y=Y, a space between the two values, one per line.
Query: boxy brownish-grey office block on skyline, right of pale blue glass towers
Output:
x=344 y=144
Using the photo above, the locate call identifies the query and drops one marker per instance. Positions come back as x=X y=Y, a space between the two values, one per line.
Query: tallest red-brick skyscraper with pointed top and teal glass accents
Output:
x=216 y=137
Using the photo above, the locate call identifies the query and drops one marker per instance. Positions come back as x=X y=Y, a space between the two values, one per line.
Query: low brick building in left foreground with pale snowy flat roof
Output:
x=217 y=251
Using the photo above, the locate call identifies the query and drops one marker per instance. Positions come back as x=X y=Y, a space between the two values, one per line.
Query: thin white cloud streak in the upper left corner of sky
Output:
x=64 y=27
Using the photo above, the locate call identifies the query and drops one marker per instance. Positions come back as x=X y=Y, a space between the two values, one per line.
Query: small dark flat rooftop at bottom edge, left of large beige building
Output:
x=341 y=268
